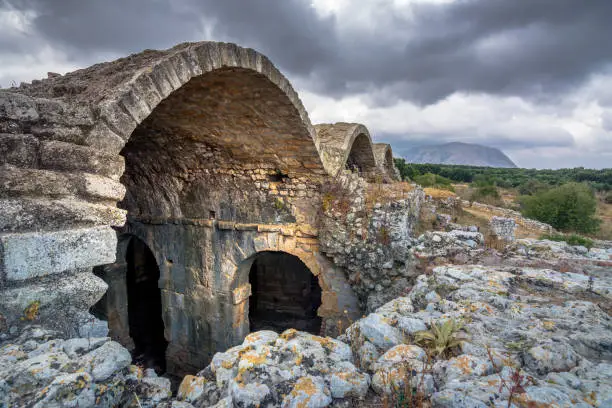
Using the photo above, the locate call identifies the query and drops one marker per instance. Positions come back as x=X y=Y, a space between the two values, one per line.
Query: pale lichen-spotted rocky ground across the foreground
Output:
x=536 y=336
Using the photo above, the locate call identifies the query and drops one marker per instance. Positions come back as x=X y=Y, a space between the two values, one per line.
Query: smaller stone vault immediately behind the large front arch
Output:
x=345 y=145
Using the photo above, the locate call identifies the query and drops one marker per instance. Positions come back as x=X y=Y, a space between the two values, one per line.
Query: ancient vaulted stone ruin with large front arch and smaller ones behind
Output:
x=176 y=194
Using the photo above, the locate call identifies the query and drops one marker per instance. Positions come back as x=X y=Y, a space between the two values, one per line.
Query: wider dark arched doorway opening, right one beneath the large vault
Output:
x=285 y=294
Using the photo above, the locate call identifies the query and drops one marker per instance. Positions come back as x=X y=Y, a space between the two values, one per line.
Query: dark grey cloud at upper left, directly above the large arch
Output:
x=86 y=27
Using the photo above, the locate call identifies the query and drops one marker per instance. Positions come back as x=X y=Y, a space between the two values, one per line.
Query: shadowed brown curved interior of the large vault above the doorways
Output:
x=222 y=119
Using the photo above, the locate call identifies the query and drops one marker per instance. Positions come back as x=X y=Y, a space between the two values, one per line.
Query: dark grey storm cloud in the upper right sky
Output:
x=532 y=48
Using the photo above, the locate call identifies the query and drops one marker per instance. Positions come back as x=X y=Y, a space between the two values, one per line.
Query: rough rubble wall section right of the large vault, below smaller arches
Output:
x=369 y=238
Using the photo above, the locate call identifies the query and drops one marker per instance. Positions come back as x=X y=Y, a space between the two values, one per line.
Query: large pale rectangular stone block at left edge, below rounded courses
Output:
x=30 y=255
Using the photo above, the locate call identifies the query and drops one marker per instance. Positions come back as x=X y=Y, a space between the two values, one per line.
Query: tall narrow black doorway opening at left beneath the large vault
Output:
x=146 y=325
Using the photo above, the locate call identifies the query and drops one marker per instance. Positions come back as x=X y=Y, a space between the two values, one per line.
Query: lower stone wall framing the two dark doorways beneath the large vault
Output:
x=204 y=267
